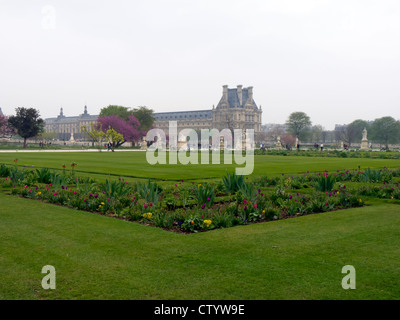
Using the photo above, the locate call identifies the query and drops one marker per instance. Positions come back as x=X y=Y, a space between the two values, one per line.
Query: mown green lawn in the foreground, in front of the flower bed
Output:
x=103 y=258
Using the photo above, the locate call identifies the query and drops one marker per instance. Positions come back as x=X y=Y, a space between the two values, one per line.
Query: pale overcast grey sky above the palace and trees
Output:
x=335 y=60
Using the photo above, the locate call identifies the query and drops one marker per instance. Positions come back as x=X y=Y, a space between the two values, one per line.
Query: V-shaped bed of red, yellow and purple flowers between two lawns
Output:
x=194 y=207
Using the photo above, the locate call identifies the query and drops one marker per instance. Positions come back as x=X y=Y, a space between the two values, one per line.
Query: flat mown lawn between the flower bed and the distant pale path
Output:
x=134 y=165
